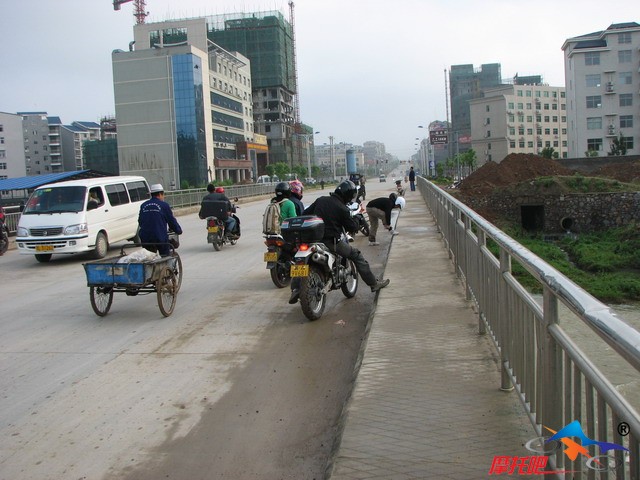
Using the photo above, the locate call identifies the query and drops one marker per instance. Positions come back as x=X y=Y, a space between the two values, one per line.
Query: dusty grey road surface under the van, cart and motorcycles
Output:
x=236 y=384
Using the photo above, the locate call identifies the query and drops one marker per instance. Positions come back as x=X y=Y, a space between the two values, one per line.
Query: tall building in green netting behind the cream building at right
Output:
x=467 y=83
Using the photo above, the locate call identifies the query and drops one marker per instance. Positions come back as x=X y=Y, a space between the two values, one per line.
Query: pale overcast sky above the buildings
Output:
x=368 y=69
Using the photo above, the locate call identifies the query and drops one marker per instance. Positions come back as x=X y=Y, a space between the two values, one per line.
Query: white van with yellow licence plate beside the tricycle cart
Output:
x=80 y=216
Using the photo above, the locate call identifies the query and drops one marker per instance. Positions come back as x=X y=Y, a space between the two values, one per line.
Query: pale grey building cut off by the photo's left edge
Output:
x=12 y=156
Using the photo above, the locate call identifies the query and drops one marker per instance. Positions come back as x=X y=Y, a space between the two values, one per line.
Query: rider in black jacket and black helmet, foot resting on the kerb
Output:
x=337 y=218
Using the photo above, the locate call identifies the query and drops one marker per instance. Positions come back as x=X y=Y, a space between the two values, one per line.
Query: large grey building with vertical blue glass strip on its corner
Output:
x=183 y=105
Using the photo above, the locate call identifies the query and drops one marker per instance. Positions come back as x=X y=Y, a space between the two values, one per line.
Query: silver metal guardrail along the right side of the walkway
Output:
x=555 y=380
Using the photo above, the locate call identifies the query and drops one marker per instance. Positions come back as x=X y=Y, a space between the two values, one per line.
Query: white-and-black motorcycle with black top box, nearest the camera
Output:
x=320 y=270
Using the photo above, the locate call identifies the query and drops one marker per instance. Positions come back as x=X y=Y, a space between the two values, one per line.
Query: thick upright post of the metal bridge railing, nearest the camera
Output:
x=551 y=356
